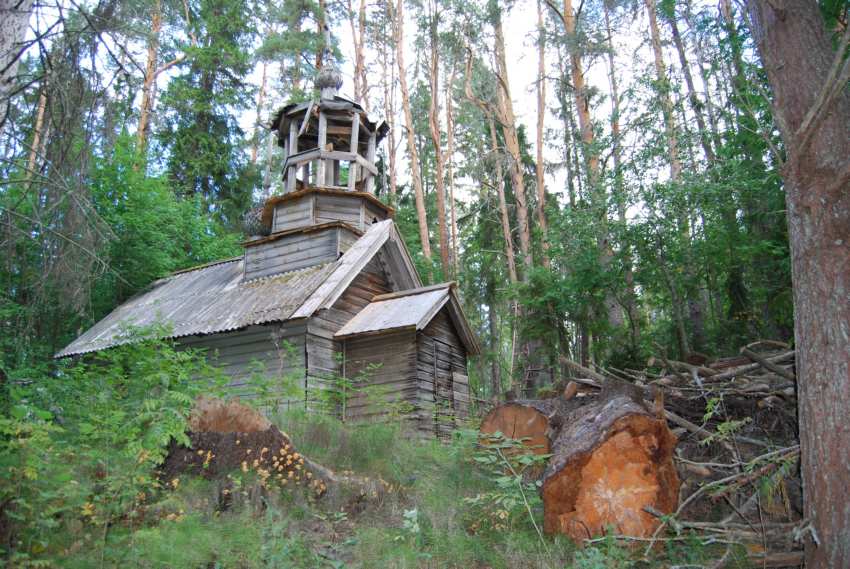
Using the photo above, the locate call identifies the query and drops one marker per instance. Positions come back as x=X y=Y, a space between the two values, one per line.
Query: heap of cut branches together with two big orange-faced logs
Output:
x=724 y=459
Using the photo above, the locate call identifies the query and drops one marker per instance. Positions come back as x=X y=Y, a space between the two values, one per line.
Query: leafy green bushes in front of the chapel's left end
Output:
x=81 y=447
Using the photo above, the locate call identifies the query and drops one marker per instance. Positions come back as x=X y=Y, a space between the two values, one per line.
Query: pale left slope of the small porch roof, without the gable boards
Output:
x=412 y=310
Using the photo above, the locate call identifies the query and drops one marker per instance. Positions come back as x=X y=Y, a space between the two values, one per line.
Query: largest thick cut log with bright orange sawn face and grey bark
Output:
x=610 y=461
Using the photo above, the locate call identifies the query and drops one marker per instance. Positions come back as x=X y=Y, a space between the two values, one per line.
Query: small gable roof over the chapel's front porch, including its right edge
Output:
x=410 y=310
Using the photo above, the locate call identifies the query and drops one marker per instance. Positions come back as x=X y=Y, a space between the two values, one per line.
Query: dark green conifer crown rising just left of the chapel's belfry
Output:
x=200 y=129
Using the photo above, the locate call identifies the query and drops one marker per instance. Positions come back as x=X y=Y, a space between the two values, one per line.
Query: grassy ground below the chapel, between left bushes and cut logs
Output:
x=442 y=510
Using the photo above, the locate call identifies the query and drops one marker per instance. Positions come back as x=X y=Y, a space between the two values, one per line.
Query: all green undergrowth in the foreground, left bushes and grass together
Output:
x=80 y=486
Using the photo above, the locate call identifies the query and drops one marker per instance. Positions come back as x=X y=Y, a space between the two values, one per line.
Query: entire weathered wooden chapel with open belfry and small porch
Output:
x=325 y=288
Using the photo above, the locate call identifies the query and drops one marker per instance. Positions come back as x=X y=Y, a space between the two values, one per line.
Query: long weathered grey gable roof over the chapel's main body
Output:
x=214 y=298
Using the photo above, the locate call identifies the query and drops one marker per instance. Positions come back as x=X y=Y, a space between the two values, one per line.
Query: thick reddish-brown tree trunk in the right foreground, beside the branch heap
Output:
x=811 y=105
